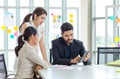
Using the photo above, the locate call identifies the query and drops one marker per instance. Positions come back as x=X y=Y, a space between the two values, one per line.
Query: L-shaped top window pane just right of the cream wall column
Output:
x=100 y=7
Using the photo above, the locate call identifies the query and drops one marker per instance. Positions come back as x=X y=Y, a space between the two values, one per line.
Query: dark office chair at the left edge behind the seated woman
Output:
x=3 y=69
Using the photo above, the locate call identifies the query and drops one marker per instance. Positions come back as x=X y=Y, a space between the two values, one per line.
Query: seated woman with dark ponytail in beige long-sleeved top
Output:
x=27 y=54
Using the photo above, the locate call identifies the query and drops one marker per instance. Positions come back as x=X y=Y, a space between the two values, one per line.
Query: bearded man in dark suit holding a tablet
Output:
x=66 y=50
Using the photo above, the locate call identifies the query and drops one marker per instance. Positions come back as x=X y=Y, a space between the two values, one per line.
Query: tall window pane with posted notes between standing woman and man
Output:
x=55 y=21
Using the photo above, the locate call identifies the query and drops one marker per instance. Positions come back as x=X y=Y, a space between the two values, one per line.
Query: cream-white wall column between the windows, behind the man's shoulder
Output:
x=85 y=24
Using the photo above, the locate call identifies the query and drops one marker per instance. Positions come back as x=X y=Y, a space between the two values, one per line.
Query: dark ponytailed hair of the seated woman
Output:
x=30 y=30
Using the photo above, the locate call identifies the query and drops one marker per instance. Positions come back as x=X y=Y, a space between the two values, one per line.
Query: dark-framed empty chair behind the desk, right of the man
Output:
x=107 y=54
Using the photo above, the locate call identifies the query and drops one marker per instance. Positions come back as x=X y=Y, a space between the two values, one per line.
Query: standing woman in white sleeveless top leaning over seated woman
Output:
x=36 y=20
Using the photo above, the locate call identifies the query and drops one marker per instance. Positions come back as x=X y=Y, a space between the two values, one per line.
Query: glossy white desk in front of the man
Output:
x=81 y=72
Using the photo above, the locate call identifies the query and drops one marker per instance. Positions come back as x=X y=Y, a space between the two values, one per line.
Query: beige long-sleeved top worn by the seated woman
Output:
x=27 y=60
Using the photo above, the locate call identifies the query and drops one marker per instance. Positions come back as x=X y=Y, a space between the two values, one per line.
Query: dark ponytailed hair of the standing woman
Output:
x=38 y=11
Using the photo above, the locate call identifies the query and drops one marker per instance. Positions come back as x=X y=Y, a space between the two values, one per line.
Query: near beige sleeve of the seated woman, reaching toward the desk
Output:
x=33 y=56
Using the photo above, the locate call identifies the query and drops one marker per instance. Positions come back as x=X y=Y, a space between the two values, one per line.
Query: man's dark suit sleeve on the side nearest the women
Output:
x=56 y=56
